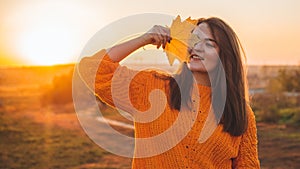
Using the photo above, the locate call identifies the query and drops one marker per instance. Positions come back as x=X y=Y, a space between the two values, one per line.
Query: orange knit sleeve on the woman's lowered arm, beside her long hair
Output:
x=248 y=155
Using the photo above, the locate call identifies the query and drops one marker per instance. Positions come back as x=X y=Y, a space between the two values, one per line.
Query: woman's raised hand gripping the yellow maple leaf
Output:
x=157 y=35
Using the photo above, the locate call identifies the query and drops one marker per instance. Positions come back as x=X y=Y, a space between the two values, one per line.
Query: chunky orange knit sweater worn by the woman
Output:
x=220 y=150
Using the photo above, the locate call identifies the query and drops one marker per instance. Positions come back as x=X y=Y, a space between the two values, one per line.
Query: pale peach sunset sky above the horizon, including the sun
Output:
x=46 y=32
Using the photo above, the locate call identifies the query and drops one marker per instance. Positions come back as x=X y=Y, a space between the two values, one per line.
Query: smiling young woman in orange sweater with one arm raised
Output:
x=233 y=143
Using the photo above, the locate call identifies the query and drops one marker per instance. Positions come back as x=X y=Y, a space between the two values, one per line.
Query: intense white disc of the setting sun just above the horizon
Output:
x=47 y=45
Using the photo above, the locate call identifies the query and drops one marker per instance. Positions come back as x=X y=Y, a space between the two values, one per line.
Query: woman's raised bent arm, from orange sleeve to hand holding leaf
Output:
x=99 y=70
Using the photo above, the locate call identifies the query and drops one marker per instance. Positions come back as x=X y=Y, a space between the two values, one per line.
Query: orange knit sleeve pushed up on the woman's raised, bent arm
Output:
x=116 y=85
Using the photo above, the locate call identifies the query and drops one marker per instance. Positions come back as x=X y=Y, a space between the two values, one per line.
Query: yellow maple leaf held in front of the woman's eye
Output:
x=182 y=38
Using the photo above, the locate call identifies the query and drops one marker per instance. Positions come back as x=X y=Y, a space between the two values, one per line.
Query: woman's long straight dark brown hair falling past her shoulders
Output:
x=234 y=118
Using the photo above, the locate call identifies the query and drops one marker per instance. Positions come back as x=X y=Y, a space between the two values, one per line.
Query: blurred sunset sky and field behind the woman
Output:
x=41 y=40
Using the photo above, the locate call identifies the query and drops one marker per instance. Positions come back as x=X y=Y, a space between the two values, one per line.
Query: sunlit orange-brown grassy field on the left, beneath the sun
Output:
x=41 y=136
